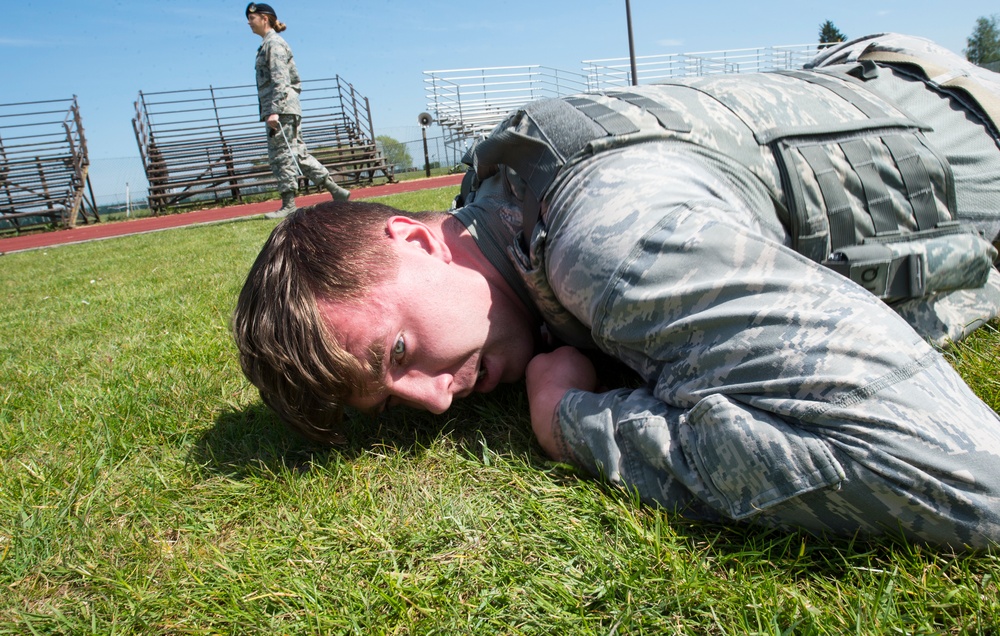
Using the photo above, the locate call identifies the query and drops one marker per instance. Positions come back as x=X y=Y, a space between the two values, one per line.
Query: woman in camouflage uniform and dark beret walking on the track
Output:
x=278 y=88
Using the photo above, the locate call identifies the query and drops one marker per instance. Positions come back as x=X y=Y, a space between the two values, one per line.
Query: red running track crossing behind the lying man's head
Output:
x=98 y=231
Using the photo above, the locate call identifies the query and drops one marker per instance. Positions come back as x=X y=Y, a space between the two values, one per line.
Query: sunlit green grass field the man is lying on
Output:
x=145 y=489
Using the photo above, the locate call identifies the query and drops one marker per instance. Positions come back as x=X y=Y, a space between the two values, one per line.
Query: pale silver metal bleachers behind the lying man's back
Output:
x=469 y=102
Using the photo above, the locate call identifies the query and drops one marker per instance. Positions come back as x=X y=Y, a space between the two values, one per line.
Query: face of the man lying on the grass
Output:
x=440 y=330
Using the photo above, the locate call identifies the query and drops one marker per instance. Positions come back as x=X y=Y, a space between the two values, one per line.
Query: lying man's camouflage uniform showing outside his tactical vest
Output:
x=775 y=389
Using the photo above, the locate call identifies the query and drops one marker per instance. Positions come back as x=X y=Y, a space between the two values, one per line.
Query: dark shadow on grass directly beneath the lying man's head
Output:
x=253 y=442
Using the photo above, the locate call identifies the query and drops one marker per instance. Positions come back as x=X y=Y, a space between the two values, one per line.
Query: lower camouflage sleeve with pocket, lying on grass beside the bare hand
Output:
x=721 y=459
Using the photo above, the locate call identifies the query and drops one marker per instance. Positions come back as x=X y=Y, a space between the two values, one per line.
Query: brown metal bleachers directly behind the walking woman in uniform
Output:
x=209 y=146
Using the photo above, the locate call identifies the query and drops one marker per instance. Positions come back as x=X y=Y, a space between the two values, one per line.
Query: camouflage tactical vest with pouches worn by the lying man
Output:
x=850 y=174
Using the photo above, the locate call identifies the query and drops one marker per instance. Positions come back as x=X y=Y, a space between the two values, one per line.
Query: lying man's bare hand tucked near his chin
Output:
x=548 y=377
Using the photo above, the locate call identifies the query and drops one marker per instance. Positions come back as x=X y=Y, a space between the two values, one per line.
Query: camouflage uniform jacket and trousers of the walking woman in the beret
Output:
x=278 y=88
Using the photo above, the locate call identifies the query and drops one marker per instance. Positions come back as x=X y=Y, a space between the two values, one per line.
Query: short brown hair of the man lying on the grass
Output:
x=333 y=251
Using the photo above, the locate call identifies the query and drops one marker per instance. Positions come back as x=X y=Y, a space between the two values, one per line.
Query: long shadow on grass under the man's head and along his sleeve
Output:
x=252 y=443
